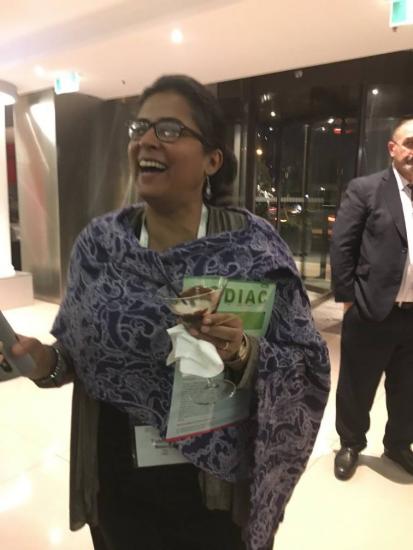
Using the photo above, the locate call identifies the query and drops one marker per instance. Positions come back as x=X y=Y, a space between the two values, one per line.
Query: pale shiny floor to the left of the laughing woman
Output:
x=34 y=454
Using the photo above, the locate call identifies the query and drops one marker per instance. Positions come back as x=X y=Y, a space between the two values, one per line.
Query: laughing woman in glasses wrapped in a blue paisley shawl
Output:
x=224 y=488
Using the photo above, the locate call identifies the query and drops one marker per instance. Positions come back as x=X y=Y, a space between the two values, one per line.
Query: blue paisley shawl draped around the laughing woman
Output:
x=114 y=326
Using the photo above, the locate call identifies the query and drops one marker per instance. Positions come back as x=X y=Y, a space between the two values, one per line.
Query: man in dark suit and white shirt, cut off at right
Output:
x=372 y=271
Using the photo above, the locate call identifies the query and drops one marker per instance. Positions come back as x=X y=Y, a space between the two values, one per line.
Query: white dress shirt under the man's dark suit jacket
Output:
x=405 y=293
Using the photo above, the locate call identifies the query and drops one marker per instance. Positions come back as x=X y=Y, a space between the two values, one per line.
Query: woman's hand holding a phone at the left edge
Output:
x=43 y=356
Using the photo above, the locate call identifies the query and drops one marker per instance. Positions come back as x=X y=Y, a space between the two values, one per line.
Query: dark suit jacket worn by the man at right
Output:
x=369 y=245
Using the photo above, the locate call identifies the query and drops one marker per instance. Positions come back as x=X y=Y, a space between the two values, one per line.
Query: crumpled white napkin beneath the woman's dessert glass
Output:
x=195 y=356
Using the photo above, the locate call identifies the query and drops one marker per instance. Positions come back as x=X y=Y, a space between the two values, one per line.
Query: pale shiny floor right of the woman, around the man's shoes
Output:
x=373 y=510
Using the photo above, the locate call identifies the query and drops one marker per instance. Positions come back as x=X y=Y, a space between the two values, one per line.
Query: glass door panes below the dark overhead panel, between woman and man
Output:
x=300 y=170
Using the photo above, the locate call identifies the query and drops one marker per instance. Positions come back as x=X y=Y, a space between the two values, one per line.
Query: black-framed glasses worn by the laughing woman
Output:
x=168 y=130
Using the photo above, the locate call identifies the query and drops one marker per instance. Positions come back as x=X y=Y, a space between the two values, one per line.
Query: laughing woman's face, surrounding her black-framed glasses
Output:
x=170 y=174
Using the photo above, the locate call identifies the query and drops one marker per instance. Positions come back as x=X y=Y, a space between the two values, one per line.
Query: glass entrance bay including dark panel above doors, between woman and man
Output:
x=305 y=146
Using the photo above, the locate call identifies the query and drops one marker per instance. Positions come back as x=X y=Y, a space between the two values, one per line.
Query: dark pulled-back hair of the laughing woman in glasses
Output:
x=209 y=118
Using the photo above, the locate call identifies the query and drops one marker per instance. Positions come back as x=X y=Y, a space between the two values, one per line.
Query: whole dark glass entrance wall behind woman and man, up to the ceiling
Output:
x=305 y=134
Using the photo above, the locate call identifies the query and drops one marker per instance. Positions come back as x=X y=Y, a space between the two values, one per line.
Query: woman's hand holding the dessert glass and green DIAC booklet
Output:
x=224 y=330
